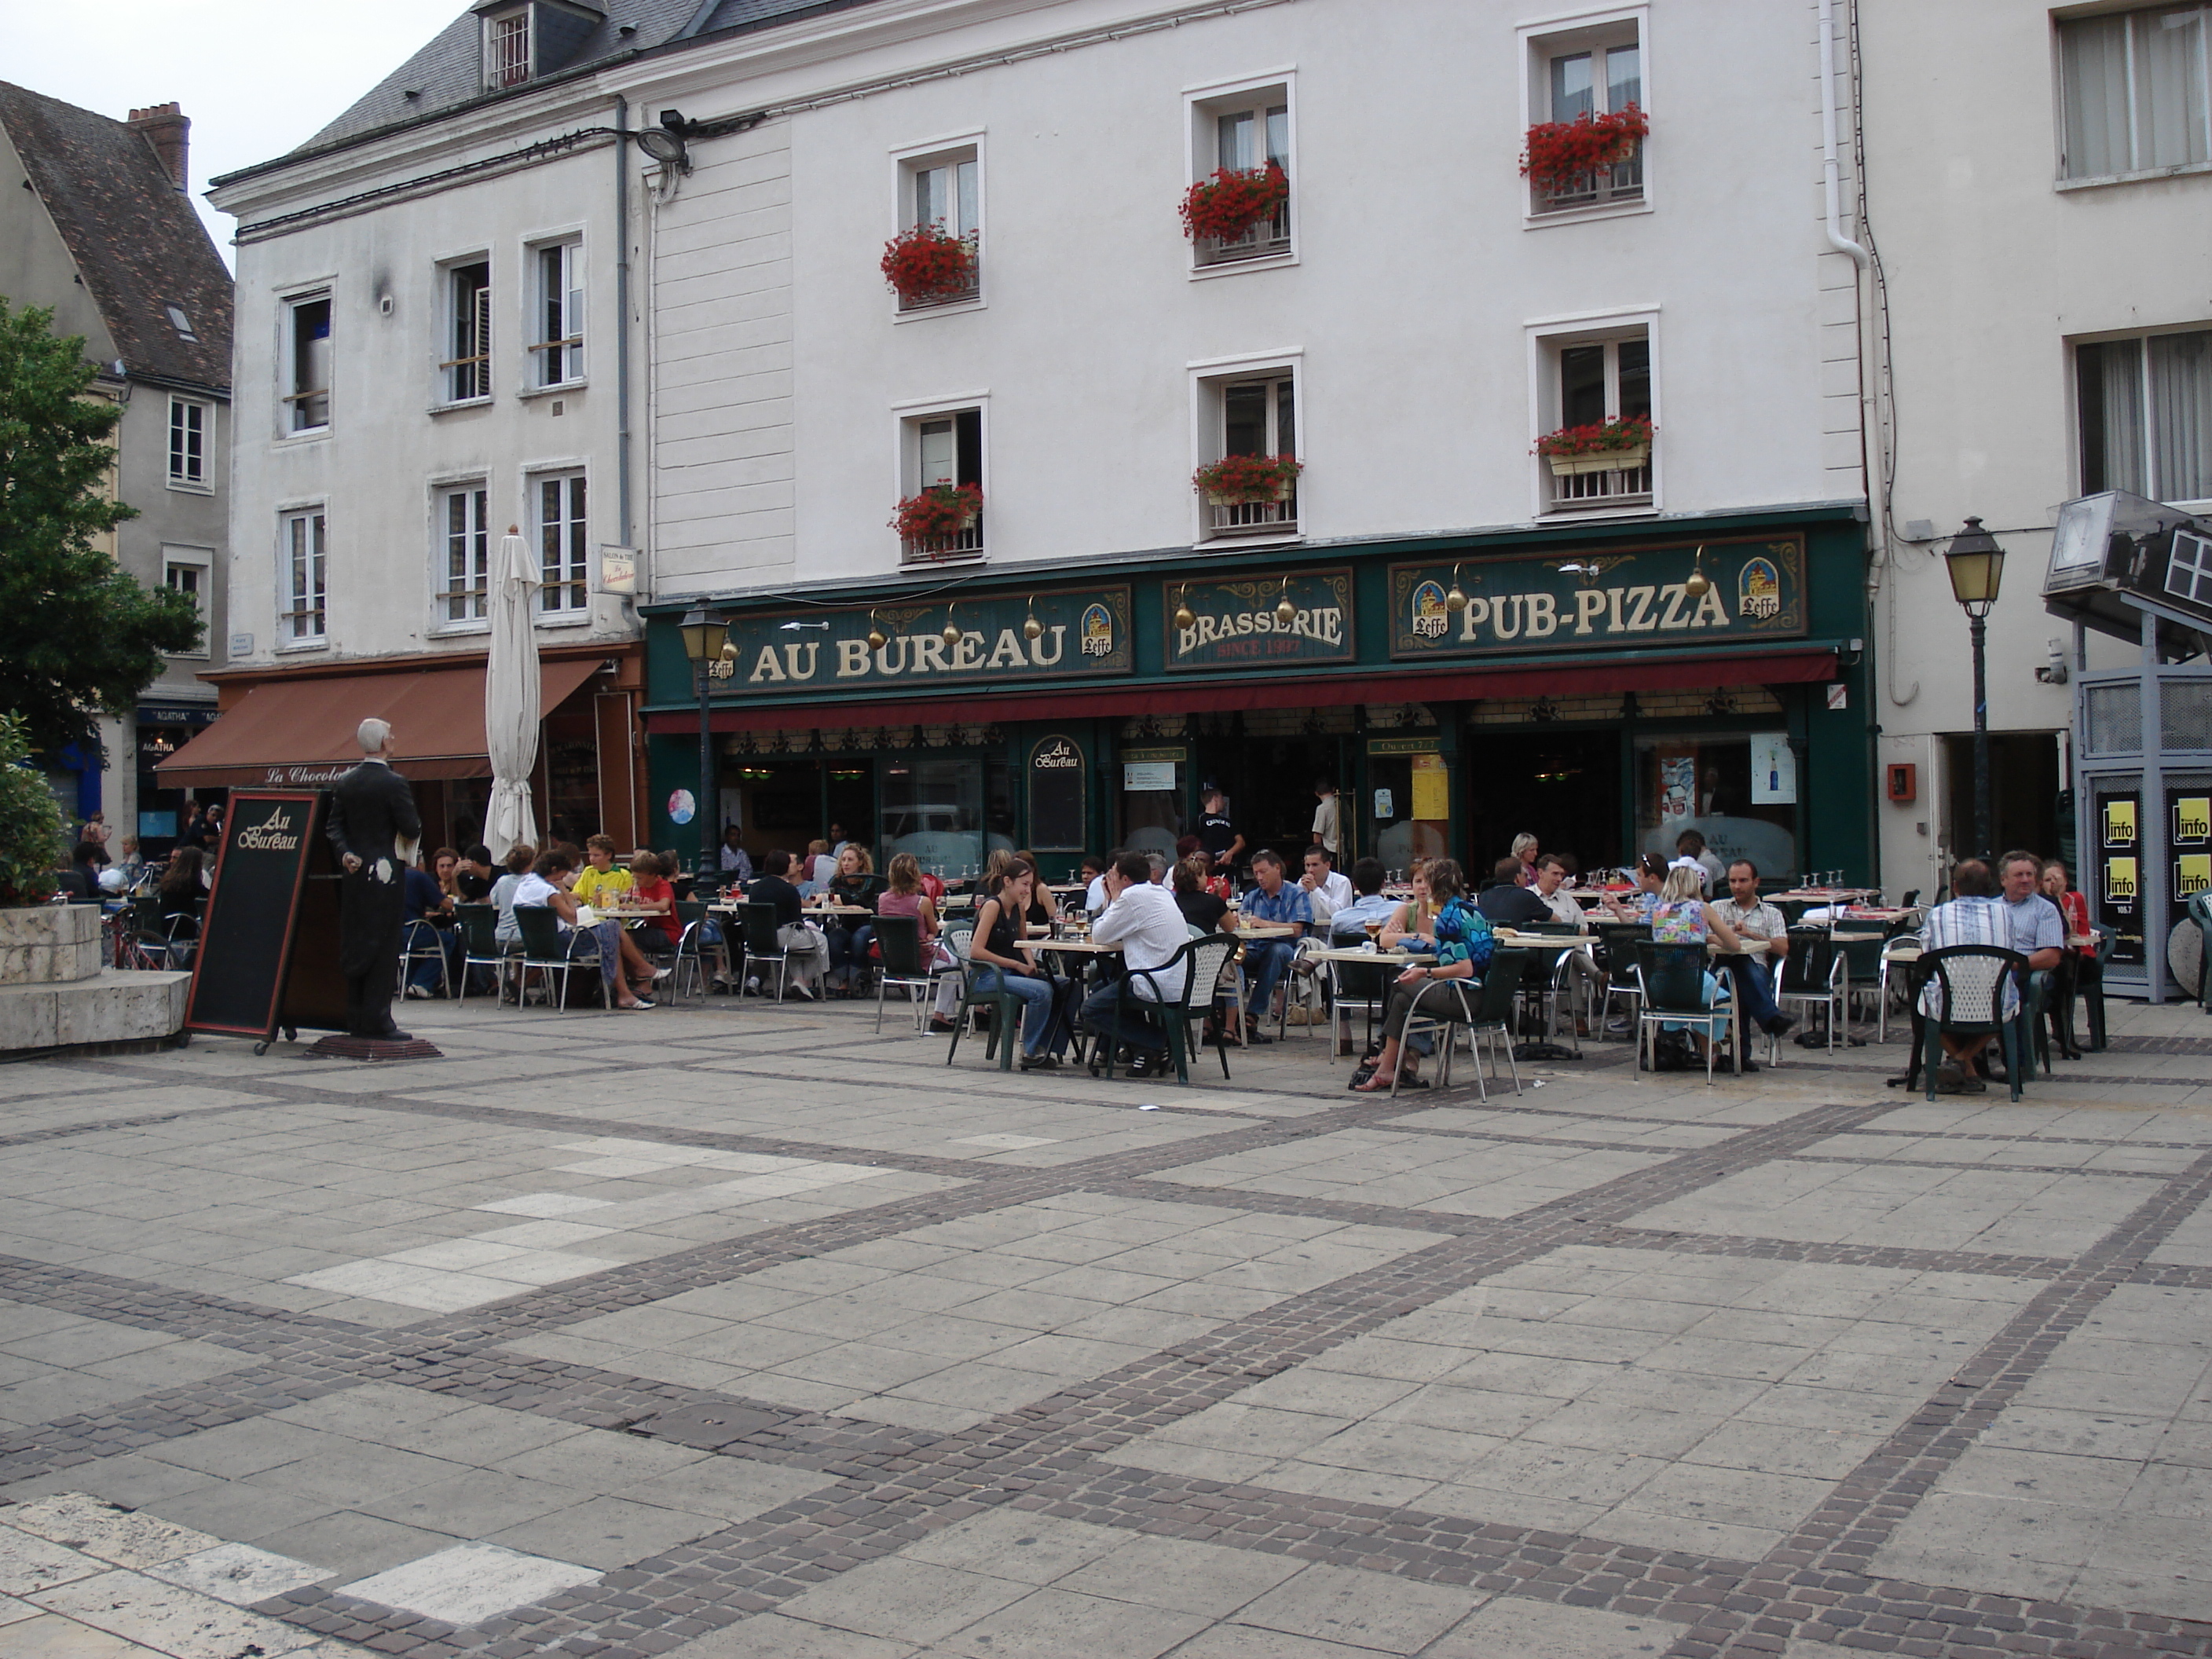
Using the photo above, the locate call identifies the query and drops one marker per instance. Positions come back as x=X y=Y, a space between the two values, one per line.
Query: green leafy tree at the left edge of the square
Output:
x=79 y=636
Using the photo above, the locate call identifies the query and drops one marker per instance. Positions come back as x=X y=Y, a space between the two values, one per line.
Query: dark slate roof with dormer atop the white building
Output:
x=448 y=74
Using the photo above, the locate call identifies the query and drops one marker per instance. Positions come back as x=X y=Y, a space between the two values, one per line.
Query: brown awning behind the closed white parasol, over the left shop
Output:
x=302 y=733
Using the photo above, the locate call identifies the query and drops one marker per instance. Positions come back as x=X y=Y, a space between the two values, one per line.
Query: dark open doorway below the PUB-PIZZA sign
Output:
x=1563 y=789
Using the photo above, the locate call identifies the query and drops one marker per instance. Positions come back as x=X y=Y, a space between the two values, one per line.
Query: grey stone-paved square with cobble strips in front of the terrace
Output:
x=811 y=1346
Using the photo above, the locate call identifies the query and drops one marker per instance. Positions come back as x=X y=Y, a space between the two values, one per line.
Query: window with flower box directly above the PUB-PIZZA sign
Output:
x=1596 y=419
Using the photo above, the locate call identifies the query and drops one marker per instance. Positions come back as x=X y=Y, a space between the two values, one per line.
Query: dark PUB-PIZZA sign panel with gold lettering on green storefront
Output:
x=1684 y=594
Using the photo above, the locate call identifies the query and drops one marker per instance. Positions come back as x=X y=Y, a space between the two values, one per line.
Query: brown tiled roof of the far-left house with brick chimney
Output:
x=134 y=236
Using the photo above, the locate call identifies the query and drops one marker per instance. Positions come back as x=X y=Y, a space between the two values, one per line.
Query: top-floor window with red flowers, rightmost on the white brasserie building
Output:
x=1585 y=116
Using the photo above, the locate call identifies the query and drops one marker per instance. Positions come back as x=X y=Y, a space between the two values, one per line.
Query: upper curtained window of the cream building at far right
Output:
x=2136 y=92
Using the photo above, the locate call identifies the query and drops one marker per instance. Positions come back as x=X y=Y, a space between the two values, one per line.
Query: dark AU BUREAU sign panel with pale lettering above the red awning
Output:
x=1047 y=636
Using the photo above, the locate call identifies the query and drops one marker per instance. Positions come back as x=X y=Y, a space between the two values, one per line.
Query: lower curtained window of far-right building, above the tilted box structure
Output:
x=2147 y=417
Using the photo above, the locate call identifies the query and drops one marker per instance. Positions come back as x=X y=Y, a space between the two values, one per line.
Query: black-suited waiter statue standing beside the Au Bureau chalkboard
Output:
x=371 y=813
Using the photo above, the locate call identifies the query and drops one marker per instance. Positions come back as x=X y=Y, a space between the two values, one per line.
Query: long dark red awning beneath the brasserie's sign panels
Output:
x=1198 y=698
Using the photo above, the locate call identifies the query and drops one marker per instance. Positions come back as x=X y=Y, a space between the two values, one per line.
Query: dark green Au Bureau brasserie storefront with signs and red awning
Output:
x=1598 y=687
